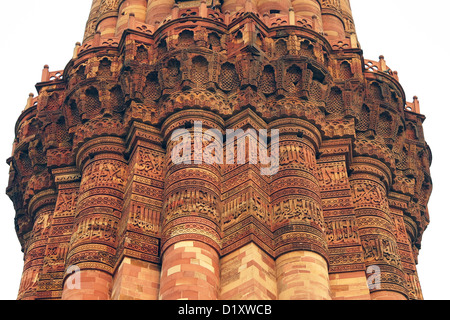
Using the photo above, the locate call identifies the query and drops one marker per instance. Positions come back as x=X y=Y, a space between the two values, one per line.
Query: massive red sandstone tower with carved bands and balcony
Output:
x=104 y=212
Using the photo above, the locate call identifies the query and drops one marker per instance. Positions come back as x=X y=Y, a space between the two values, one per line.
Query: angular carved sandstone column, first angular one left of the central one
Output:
x=138 y=259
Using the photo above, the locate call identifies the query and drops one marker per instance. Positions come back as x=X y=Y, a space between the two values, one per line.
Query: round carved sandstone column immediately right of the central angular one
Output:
x=299 y=239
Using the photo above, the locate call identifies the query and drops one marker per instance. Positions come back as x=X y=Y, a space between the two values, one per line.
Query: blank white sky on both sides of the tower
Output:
x=411 y=34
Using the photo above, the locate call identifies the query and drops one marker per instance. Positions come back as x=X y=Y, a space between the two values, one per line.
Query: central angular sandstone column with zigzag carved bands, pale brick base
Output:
x=247 y=270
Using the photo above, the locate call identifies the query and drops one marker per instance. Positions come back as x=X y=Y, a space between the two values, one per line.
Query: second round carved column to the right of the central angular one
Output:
x=370 y=180
